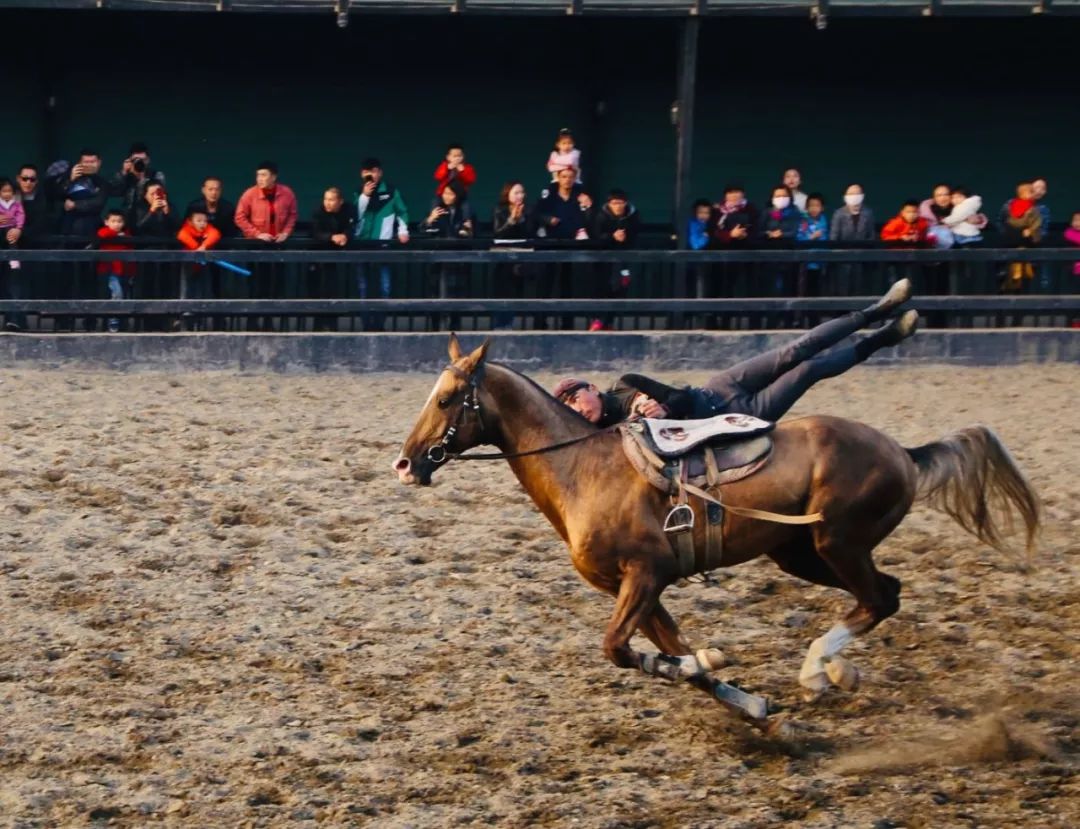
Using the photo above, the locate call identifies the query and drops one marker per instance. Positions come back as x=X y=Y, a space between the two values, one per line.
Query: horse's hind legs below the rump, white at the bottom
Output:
x=877 y=596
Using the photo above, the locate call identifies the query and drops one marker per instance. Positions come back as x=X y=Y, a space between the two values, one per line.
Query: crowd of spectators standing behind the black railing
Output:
x=79 y=203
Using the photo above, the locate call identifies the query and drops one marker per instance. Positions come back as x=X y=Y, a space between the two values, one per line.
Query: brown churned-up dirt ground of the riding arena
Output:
x=221 y=609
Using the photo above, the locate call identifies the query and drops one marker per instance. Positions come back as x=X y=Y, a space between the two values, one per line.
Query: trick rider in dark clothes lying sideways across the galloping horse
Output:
x=766 y=386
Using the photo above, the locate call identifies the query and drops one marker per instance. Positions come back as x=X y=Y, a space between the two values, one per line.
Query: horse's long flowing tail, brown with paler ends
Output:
x=971 y=477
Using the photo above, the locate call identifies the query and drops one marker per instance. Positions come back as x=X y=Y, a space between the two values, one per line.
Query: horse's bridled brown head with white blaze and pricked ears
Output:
x=451 y=420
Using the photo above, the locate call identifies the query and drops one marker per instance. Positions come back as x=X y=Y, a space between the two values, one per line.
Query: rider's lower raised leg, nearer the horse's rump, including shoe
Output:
x=775 y=401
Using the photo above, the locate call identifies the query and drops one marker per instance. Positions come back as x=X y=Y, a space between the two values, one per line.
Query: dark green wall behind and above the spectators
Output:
x=895 y=104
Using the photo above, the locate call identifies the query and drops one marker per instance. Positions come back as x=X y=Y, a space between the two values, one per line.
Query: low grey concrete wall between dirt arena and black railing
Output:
x=656 y=351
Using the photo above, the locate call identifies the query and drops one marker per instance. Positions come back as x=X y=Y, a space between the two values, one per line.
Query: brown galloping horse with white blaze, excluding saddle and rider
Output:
x=862 y=482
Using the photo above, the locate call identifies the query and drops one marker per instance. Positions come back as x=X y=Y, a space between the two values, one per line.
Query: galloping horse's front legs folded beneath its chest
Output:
x=639 y=607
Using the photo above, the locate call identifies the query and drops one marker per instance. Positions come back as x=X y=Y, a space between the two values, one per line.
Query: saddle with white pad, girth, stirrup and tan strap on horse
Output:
x=685 y=458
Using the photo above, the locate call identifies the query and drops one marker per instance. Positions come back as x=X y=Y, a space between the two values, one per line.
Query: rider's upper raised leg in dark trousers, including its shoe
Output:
x=758 y=373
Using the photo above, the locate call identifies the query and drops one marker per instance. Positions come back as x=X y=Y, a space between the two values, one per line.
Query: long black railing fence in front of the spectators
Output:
x=528 y=287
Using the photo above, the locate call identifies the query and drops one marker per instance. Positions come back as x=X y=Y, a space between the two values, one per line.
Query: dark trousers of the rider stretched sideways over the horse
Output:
x=769 y=385
